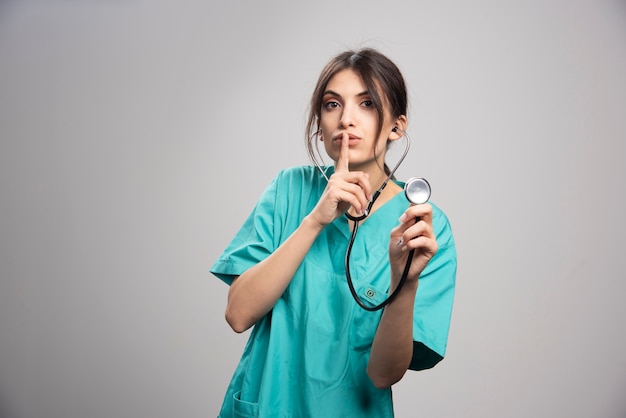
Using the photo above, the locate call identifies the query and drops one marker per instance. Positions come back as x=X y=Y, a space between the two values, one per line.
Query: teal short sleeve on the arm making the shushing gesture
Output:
x=255 y=240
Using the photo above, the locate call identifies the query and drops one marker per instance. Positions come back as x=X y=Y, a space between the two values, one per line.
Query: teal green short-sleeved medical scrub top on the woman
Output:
x=308 y=356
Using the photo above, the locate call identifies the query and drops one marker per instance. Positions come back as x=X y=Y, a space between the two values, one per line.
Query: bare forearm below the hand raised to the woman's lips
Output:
x=254 y=293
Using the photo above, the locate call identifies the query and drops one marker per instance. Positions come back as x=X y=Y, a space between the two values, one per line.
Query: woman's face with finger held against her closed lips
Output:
x=347 y=107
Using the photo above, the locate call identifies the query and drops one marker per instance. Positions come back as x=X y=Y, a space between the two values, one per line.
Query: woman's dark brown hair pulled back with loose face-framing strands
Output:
x=381 y=77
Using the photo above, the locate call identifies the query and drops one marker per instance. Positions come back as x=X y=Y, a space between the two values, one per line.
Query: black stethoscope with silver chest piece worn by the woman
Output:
x=417 y=191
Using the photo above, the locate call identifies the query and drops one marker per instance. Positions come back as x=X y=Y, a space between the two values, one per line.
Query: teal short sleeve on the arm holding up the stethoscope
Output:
x=434 y=299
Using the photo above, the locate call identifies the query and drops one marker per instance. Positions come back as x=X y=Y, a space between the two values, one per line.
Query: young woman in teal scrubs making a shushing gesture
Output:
x=313 y=351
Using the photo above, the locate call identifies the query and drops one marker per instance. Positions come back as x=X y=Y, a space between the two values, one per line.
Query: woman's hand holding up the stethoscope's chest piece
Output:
x=415 y=232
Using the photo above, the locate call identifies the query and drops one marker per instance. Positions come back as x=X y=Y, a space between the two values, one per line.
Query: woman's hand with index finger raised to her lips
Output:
x=345 y=188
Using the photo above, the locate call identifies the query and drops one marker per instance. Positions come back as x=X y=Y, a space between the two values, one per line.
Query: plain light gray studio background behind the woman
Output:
x=136 y=136
